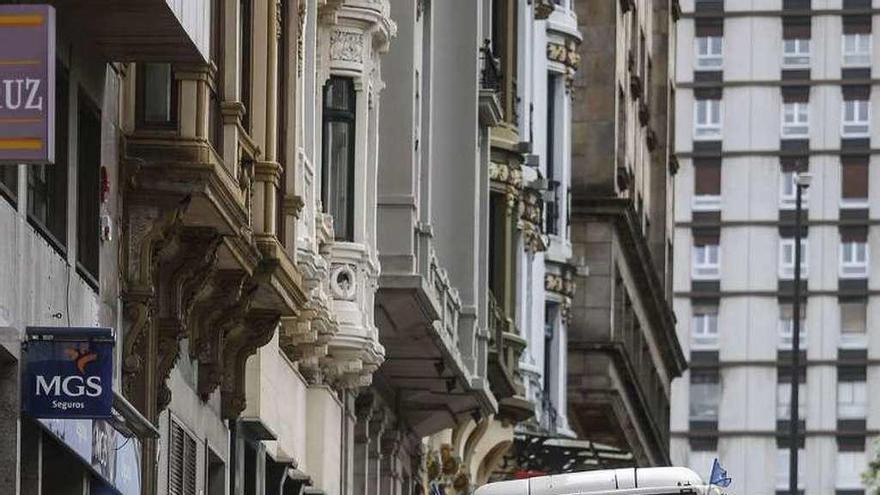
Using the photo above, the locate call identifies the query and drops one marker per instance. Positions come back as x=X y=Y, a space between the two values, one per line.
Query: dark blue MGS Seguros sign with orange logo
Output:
x=68 y=373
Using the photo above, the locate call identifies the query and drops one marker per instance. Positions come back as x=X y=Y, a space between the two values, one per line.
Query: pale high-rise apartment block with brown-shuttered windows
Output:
x=768 y=90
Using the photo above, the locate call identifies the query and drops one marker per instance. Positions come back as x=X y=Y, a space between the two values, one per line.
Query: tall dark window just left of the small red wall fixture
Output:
x=88 y=187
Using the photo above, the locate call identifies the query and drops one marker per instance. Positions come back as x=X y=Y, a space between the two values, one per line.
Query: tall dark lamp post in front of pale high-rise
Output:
x=802 y=182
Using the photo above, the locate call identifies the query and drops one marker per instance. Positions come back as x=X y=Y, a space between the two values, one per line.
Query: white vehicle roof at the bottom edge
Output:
x=629 y=481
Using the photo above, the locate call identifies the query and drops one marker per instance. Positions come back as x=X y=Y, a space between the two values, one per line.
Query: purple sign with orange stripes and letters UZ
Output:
x=27 y=84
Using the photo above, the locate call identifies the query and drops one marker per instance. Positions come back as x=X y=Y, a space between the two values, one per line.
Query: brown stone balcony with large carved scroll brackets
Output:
x=194 y=266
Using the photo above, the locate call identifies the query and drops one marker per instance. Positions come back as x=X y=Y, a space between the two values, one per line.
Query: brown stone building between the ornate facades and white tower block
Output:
x=623 y=351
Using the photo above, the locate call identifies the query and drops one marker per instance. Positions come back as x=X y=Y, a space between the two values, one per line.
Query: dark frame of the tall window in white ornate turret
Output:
x=348 y=116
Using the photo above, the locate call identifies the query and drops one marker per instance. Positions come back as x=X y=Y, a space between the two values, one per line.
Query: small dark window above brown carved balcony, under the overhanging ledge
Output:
x=157 y=96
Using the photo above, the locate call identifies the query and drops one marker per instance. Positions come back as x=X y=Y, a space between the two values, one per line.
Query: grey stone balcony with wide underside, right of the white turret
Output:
x=420 y=318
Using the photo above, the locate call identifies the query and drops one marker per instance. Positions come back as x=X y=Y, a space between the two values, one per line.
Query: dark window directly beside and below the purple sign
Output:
x=47 y=184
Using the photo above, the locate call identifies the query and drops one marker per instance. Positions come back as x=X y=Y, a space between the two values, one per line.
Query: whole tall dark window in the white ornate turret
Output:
x=337 y=171
